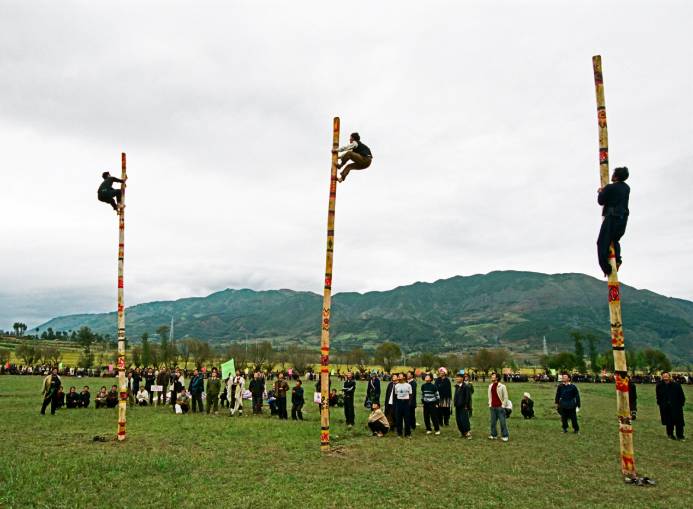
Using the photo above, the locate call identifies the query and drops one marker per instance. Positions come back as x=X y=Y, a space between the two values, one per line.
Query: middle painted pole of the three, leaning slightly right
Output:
x=327 y=302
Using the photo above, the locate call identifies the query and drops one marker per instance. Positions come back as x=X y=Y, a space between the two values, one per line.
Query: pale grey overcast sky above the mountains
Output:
x=481 y=117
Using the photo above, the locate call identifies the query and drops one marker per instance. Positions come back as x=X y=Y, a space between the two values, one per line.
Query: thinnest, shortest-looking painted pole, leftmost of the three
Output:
x=122 y=384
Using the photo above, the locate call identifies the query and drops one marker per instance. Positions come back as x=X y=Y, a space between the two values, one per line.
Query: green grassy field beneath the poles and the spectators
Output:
x=193 y=460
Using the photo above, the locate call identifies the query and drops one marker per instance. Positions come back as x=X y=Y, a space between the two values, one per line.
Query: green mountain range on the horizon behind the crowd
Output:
x=512 y=309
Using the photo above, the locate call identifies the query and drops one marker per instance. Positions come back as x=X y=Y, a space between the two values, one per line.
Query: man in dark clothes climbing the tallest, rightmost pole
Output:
x=614 y=198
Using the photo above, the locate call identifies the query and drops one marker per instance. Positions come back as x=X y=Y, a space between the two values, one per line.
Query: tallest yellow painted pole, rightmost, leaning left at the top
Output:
x=625 y=427
